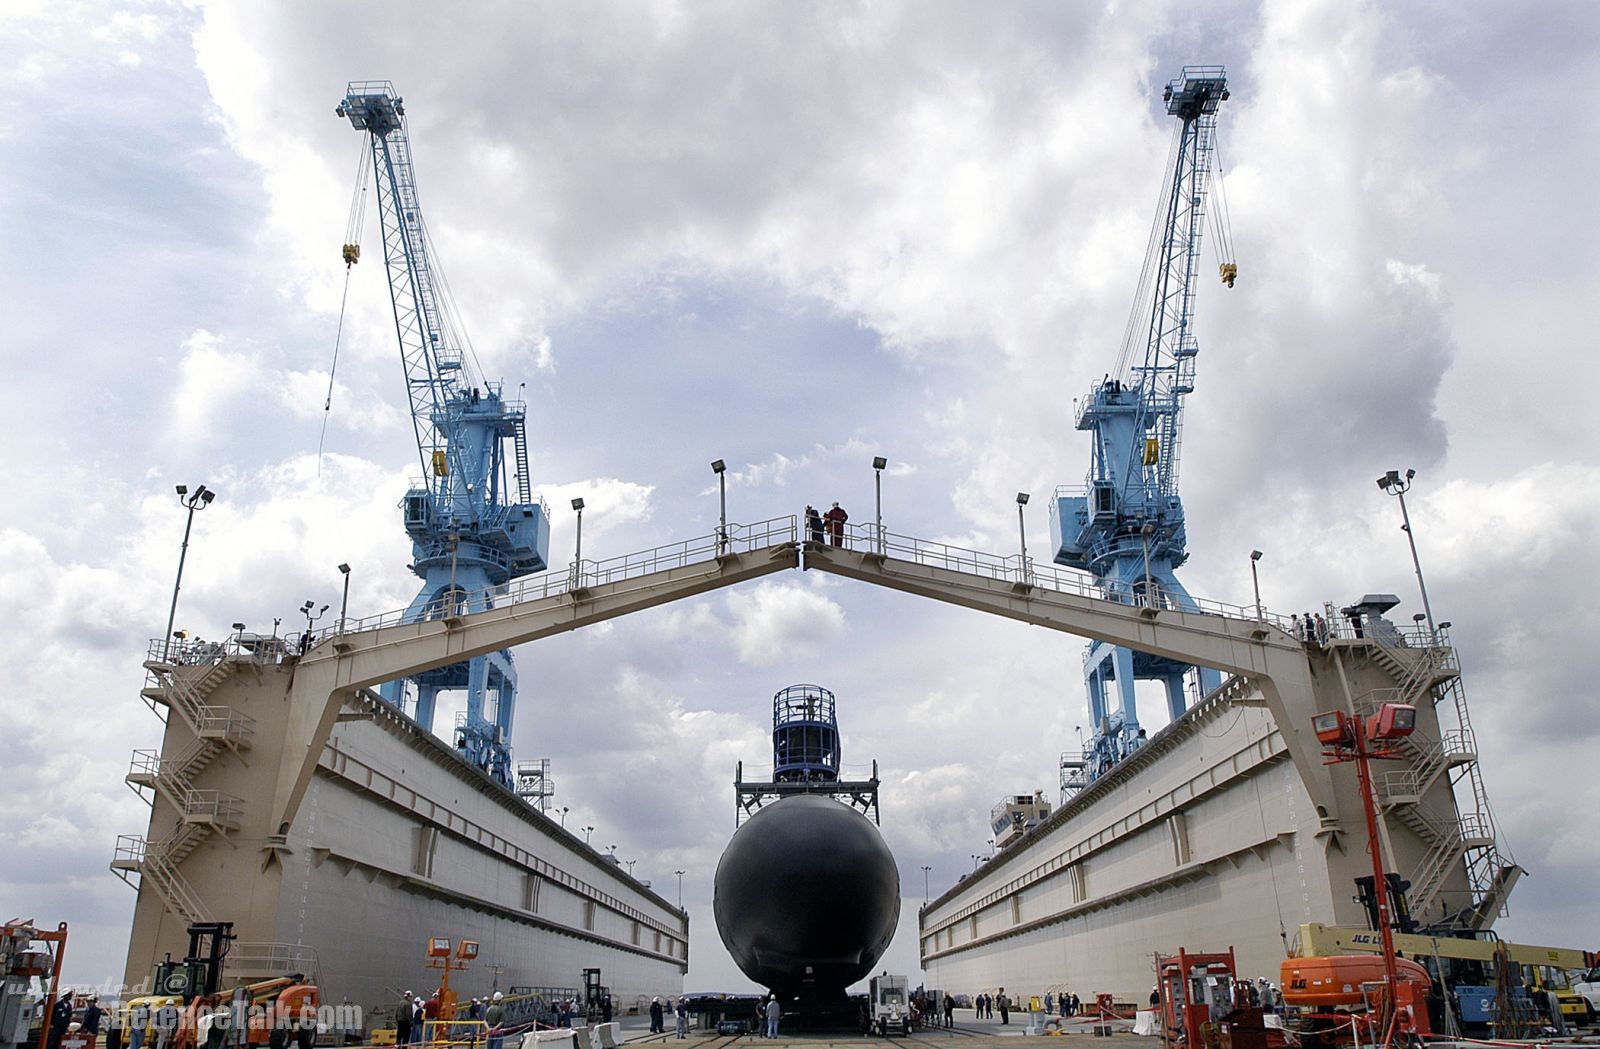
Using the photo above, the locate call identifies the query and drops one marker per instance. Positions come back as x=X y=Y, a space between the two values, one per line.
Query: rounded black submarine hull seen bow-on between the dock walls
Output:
x=807 y=898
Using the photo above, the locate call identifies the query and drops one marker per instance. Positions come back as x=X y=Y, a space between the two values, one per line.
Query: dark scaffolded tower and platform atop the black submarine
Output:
x=806 y=757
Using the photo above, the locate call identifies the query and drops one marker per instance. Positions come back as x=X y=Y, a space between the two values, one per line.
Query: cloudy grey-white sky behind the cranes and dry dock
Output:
x=793 y=237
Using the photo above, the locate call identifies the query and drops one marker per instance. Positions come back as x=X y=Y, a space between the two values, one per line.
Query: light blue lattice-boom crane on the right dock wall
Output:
x=1126 y=525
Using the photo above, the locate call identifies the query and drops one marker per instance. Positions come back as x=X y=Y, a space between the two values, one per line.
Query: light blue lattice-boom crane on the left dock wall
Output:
x=470 y=530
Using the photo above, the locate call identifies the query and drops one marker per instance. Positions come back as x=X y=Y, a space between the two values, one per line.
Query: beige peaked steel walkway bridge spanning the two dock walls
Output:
x=364 y=653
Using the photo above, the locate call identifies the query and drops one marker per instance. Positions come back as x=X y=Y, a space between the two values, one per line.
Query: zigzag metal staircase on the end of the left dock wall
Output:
x=183 y=687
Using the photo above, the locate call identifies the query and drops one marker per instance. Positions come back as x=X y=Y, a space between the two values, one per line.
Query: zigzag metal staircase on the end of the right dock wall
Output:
x=1426 y=676
